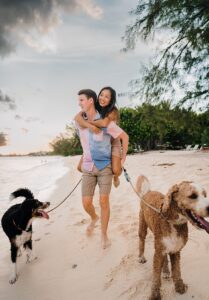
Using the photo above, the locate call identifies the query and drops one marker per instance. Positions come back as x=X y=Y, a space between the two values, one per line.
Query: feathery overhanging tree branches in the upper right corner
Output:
x=183 y=63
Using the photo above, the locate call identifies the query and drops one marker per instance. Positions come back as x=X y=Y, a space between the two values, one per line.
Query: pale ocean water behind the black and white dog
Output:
x=39 y=174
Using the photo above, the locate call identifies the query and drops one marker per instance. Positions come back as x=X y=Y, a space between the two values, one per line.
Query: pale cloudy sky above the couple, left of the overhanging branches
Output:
x=49 y=50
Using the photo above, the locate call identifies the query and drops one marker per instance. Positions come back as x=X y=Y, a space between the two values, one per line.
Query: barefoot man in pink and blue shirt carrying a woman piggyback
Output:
x=96 y=164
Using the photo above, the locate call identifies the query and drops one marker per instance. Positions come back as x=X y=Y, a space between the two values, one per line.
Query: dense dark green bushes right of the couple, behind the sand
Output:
x=154 y=126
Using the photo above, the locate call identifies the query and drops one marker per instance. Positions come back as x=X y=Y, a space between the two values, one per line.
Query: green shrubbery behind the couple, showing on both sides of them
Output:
x=151 y=127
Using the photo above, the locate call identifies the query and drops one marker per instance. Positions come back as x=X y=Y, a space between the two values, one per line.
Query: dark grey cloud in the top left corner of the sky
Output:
x=26 y=21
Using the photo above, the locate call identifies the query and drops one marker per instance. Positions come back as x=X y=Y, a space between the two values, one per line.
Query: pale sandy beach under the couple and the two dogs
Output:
x=71 y=265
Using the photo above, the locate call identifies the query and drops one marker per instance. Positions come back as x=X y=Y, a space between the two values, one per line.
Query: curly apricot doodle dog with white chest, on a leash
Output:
x=184 y=202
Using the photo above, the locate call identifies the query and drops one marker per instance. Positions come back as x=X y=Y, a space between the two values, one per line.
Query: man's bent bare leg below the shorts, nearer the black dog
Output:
x=89 y=208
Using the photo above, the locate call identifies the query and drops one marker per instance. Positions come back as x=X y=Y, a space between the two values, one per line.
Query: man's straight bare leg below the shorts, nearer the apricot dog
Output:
x=105 y=216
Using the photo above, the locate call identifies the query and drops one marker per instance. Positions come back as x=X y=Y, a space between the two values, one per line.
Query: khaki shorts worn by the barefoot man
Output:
x=91 y=178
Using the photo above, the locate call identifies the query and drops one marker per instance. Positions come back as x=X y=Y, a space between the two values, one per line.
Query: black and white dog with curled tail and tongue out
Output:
x=17 y=224
